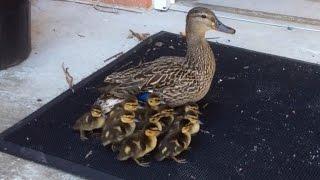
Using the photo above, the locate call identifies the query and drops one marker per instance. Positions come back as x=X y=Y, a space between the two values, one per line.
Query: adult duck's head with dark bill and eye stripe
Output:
x=200 y=20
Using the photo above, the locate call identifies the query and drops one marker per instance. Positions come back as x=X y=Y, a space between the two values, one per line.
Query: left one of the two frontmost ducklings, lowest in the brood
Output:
x=140 y=144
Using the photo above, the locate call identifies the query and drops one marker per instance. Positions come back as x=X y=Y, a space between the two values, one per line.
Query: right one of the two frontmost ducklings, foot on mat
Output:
x=176 y=141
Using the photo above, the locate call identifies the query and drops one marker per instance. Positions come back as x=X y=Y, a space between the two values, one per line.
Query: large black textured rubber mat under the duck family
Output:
x=261 y=121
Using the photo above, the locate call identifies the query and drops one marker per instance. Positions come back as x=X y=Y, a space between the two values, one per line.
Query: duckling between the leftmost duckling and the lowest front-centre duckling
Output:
x=116 y=130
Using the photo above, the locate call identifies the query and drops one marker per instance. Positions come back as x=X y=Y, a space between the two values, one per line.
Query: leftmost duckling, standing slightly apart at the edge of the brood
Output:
x=89 y=121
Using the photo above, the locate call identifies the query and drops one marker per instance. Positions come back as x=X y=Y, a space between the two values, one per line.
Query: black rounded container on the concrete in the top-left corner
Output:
x=15 y=34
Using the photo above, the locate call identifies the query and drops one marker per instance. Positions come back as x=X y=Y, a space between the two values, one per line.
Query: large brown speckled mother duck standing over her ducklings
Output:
x=177 y=80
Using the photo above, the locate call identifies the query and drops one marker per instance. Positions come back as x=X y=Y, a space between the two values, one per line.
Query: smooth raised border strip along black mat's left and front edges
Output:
x=62 y=164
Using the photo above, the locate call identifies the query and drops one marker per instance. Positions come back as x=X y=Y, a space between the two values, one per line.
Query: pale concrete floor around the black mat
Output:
x=82 y=38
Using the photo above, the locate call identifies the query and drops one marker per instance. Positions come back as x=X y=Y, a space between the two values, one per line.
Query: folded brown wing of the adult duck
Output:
x=147 y=75
